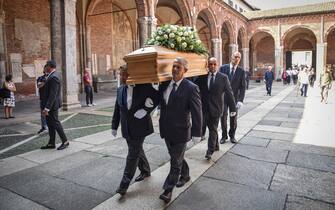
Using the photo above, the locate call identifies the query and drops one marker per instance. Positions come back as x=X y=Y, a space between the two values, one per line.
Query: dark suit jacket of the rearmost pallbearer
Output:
x=237 y=83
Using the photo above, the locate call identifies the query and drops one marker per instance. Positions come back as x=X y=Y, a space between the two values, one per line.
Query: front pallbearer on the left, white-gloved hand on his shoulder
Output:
x=133 y=106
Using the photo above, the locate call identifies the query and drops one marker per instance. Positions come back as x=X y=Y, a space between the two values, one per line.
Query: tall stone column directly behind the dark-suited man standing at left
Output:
x=63 y=48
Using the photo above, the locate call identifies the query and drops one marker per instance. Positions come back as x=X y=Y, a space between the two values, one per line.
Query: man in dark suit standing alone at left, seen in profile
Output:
x=51 y=102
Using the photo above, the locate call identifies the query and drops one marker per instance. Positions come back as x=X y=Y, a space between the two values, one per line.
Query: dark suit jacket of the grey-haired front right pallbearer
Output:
x=175 y=117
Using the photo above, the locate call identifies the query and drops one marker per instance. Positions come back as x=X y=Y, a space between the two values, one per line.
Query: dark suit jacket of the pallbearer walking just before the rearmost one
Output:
x=212 y=99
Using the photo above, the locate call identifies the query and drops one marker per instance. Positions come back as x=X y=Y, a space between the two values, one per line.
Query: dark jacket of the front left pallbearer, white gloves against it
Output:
x=131 y=127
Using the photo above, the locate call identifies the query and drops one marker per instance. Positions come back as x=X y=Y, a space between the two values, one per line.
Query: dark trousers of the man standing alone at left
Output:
x=53 y=126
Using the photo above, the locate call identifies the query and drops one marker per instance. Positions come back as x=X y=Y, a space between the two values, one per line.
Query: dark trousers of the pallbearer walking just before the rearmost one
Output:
x=212 y=124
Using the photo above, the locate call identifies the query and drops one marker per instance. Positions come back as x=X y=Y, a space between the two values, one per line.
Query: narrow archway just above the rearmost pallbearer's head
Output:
x=226 y=34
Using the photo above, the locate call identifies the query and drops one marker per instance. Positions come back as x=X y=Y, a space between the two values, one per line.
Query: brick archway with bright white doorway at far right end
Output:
x=299 y=48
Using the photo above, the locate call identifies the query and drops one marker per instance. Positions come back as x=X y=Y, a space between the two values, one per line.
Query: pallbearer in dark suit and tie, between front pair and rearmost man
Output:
x=213 y=87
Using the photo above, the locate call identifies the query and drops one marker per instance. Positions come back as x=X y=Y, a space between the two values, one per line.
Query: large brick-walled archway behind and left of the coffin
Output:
x=112 y=33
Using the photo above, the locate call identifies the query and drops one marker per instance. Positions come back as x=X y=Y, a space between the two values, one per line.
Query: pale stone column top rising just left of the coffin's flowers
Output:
x=146 y=26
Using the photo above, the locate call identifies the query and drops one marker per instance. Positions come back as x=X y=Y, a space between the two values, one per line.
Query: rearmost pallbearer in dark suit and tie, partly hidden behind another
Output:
x=236 y=77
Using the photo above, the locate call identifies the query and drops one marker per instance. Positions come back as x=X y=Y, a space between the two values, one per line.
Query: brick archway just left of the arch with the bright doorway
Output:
x=262 y=53
